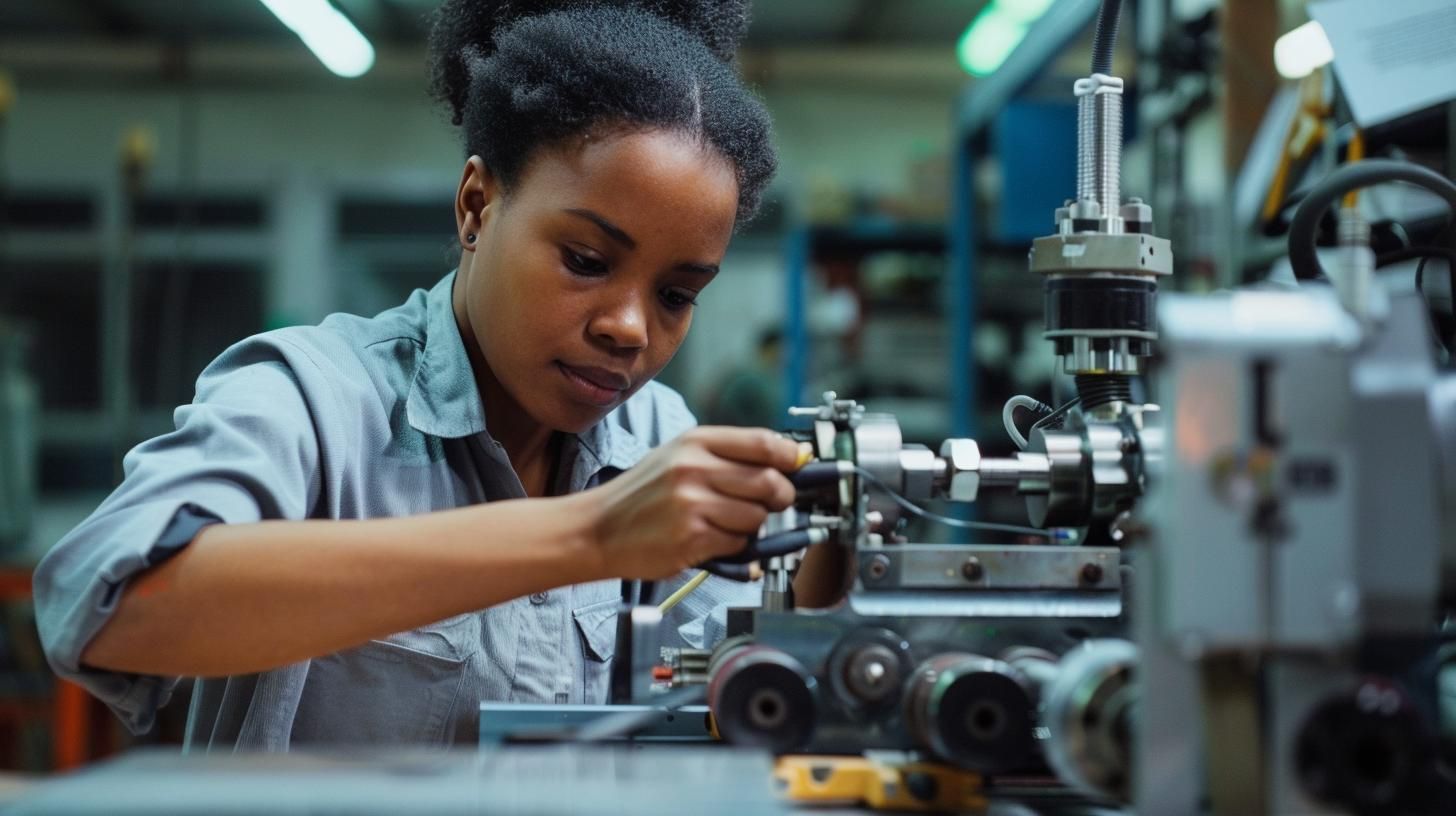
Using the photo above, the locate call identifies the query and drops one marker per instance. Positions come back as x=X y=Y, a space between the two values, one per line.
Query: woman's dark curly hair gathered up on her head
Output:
x=522 y=75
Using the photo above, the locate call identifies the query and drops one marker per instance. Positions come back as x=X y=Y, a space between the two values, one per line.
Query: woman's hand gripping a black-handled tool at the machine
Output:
x=695 y=499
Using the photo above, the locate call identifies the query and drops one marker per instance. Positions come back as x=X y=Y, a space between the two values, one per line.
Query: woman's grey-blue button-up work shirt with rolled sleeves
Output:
x=356 y=419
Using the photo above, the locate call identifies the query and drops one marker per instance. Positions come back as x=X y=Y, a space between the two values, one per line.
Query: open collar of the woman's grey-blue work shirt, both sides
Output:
x=445 y=400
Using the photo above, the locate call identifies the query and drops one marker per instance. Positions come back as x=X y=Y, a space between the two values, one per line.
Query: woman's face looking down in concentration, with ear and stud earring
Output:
x=582 y=282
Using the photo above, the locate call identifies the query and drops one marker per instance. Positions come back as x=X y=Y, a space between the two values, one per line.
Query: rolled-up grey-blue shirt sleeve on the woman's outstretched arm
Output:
x=244 y=451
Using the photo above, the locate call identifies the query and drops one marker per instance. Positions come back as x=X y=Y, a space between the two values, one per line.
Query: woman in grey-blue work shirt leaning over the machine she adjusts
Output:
x=362 y=530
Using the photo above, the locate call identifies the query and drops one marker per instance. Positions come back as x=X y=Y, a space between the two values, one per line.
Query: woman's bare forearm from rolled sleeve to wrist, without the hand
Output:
x=248 y=598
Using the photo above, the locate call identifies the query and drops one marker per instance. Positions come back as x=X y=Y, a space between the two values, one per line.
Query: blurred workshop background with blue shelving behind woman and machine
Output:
x=177 y=176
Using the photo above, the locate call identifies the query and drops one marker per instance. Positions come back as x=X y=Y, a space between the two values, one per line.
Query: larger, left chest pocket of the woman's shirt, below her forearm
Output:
x=400 y=690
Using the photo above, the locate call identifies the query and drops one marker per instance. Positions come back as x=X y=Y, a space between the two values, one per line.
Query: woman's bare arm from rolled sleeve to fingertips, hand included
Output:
x=248 y=598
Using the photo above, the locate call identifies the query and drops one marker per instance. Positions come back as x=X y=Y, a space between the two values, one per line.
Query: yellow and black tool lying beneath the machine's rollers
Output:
x=857 y=780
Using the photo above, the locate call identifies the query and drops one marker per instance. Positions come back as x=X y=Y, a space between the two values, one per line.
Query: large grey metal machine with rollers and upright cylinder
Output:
x=1241 y=610
